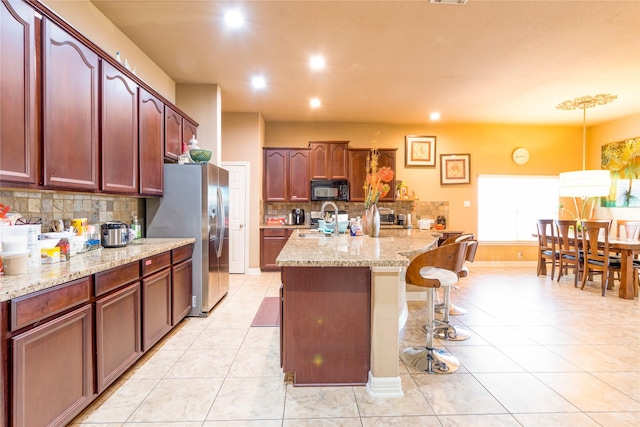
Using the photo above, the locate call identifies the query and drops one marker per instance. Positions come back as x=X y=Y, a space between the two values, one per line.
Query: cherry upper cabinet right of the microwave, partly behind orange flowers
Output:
x=358 y=159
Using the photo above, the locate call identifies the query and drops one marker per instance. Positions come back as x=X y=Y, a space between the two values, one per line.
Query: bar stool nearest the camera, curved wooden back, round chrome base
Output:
x=431 y=270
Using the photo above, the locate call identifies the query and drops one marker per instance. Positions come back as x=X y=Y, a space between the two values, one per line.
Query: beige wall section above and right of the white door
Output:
x=243 y=138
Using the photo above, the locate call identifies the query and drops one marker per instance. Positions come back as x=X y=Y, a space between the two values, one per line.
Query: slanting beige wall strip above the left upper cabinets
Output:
x=88 y=20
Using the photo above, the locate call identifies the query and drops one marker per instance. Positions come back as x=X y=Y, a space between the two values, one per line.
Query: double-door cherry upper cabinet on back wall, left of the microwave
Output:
x=286 y=175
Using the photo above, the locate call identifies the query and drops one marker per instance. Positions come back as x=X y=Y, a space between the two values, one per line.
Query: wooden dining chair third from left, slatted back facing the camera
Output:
x=595 y=247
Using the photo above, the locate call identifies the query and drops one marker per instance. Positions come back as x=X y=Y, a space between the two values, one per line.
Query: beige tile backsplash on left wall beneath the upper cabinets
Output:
x=54 y=205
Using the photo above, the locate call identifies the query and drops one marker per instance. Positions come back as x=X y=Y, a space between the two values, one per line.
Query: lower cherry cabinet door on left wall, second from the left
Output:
x=118 y=334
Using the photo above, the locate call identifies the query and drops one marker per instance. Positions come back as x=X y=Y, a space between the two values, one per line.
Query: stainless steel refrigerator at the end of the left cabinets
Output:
x=196 y=204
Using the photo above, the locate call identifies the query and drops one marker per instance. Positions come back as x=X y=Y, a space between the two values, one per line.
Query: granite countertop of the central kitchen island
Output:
x=392 y=248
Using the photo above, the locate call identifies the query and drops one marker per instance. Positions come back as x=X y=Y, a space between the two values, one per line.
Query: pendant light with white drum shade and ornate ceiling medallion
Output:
x=585 y=183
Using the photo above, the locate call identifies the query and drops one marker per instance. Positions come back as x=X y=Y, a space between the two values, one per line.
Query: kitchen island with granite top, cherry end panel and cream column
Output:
x=341 y=299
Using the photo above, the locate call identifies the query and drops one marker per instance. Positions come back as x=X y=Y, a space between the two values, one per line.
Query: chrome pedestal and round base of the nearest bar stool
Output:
x=429 y=359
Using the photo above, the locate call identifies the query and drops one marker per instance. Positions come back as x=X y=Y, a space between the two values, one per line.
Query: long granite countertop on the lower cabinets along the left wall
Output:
x=82 y=265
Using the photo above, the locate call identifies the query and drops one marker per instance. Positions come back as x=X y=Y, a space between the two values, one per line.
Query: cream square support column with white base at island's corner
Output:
x=384 y=376
